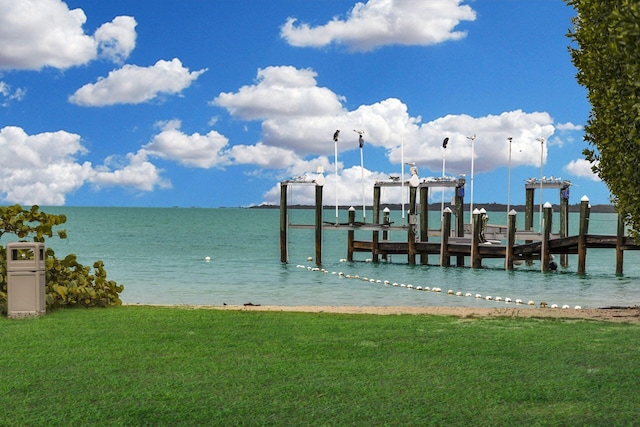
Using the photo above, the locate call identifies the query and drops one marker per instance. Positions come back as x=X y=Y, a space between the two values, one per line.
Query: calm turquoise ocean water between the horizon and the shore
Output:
x=159 y=255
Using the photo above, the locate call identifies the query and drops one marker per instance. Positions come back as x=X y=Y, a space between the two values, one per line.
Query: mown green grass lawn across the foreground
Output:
x=171 y=366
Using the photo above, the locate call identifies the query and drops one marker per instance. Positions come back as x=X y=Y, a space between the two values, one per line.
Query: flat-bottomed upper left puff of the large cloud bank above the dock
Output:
x=282 y=91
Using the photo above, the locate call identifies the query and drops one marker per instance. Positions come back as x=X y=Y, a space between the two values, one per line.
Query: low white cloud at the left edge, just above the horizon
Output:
x=43 y=168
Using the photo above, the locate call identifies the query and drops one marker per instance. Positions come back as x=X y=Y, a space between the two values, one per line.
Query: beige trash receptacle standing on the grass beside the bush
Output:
x=26 y=280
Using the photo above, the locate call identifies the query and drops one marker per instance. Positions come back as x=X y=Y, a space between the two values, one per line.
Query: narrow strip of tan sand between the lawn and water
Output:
x=614 y=314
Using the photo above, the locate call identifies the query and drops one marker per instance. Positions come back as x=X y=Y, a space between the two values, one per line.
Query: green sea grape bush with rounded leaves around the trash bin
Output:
x=69 y=283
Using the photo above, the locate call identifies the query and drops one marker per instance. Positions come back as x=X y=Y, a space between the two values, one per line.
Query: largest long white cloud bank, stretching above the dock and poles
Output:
x=387 y=124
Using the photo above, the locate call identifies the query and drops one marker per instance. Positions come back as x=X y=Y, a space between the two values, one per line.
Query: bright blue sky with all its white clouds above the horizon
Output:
x=214 y=103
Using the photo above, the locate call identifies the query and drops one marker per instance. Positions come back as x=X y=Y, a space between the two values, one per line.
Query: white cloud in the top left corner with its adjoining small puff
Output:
x=45 y=33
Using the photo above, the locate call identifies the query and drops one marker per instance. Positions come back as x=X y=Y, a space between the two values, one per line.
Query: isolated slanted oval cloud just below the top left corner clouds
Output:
x=132 y=84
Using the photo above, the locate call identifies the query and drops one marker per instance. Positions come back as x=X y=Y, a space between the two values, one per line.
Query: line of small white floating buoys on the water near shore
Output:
x=449 y=292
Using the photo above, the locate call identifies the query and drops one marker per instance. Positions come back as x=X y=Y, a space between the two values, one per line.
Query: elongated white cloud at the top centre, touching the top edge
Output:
x=385 y=22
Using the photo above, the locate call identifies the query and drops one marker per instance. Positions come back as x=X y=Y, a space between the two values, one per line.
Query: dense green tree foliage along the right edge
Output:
x=607 y=56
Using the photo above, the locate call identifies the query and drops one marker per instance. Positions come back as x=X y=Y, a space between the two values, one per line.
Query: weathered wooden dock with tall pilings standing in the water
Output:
x=459 y=241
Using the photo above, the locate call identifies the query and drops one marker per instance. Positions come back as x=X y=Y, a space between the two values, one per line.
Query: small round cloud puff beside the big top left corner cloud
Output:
x=117 y=39
